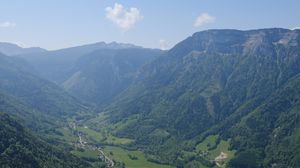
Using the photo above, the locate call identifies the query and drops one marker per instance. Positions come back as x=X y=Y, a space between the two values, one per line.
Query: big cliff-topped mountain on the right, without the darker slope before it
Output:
x=202 y=81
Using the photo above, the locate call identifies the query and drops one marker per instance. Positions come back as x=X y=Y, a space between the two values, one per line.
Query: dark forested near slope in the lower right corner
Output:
x=269 y=135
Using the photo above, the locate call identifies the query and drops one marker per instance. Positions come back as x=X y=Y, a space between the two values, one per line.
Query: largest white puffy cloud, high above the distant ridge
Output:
x=123 y=18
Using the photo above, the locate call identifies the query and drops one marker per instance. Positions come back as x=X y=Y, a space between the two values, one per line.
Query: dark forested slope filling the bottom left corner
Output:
x=20 y=149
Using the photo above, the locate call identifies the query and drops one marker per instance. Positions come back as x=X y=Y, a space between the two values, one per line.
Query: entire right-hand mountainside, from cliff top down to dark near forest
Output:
x=238 y=85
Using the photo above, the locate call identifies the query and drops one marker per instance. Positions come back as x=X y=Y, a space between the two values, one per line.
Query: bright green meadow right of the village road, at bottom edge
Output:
x=122 y=155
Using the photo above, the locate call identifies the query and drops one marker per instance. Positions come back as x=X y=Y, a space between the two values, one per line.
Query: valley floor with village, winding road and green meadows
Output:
x=95 y=146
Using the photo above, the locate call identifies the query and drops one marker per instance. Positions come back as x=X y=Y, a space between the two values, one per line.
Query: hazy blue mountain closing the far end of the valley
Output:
x=95 y=73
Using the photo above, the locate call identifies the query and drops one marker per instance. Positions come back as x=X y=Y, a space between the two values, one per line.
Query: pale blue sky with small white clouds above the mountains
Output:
x=55 y=24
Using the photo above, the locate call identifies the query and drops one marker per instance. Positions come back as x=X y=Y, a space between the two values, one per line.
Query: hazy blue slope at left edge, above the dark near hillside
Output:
x=16 y=80
